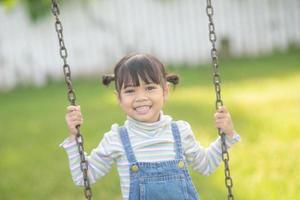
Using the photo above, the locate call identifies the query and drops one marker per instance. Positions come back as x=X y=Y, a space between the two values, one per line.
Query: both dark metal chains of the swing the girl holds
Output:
x=72 y=97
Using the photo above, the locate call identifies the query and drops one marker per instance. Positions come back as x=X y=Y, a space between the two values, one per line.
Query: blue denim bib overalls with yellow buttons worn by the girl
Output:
x=165 y=180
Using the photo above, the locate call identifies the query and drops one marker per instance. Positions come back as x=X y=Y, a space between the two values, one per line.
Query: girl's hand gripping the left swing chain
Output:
x=73 y=119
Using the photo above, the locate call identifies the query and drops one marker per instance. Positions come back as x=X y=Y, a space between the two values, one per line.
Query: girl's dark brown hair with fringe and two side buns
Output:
x=138 y=65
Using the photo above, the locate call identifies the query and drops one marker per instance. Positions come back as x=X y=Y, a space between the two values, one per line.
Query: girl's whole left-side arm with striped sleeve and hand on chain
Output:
x=100 y=159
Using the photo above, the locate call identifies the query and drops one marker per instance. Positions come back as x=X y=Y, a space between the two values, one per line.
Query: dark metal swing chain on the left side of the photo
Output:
x=71 y=96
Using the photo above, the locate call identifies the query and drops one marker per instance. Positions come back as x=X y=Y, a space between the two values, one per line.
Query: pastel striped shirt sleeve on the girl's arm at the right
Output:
x=203 y=160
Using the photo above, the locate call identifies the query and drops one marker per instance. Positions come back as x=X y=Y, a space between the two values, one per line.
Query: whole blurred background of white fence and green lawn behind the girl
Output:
x=259 y=48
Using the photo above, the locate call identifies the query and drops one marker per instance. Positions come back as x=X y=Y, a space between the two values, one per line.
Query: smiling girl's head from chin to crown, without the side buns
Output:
x=141 y=86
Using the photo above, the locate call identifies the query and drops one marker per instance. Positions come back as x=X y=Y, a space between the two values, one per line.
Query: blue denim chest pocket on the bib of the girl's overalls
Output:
x=167 y=187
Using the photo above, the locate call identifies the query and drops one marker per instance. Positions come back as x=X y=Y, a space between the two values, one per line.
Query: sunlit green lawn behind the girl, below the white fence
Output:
x=262 y=94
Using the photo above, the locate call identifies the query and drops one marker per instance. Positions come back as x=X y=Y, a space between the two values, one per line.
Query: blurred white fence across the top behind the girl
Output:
x=98 y=33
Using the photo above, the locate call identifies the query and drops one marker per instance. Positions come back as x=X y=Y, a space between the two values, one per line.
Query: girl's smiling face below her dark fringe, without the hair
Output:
x=143 y=102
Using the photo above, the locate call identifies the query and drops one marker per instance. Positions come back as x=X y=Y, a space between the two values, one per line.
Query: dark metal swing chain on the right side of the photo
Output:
x=219 y=102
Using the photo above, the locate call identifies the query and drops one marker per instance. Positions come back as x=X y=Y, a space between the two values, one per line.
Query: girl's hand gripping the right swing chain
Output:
x=223 y=121
